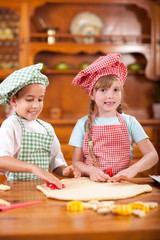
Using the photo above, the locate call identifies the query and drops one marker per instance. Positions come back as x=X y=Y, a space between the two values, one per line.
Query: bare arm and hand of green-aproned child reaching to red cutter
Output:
x=8 y=163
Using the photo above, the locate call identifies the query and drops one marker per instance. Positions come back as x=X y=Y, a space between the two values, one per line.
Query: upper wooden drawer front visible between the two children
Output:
x=63 y=133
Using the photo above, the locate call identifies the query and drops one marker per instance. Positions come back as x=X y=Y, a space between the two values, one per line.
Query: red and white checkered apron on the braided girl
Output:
x=111 y=146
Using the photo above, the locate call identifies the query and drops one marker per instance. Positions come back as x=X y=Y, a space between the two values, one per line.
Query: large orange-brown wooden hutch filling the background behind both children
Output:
x=130 y=27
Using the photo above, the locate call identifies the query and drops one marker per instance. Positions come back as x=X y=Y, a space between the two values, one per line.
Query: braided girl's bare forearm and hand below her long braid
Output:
x=94 y=173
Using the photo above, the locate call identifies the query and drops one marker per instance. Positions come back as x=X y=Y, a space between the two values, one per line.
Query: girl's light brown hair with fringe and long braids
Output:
x=103 y=82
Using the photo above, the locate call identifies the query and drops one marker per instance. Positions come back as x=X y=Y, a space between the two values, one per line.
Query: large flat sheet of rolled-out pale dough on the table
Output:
x=84 y=189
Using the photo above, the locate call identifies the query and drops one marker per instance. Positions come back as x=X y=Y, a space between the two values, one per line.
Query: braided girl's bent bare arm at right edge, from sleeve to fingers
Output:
x=149 y=159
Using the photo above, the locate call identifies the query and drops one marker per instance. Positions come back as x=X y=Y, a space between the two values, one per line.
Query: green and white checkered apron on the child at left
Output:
x=36 y=149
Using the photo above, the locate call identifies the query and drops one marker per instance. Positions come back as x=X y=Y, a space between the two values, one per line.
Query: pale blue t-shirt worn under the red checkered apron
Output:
x=136 y=132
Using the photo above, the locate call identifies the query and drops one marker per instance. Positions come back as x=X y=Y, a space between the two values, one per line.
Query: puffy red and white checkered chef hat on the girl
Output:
x=103 y=66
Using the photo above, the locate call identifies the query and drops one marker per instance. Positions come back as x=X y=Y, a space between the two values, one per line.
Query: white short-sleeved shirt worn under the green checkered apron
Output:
x=11 y=138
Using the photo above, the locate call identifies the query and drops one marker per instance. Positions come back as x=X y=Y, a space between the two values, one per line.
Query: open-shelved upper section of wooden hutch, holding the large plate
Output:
x=129 y=27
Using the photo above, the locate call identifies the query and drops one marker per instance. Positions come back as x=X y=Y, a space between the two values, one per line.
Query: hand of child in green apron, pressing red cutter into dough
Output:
x=46 y=176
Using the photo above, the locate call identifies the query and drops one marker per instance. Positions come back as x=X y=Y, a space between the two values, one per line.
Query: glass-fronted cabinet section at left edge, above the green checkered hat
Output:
x=9 y=41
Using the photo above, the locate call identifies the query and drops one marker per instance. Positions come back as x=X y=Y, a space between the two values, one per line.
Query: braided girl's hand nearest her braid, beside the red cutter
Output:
x=97 y=175
